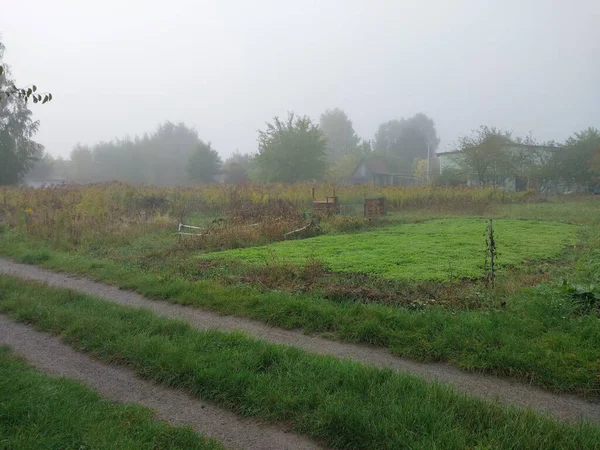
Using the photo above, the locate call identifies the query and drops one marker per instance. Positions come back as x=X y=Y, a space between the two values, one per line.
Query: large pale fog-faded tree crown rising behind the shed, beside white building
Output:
x=408 y=139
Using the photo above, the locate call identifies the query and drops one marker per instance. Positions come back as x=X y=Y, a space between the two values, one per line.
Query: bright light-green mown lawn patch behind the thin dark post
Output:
x=433 y=250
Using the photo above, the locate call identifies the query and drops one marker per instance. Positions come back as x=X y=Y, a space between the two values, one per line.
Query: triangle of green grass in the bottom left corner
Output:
x=42 y=412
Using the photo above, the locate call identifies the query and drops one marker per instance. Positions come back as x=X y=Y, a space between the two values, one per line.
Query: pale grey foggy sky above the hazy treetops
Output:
x=118 y=68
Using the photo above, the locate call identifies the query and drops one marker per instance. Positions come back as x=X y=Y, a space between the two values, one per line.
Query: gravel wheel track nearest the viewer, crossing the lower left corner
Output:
x=50 y=355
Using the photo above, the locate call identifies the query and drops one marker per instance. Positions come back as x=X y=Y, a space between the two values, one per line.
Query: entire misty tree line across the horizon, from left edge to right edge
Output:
x=290 y=149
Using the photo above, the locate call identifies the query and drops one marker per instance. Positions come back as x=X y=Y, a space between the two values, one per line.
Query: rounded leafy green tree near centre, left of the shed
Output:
x=291 y=151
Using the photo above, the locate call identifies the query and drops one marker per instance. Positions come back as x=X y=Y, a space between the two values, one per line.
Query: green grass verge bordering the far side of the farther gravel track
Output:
x=539 y=337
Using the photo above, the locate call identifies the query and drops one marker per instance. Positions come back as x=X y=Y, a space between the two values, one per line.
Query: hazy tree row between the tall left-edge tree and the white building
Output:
x=289 y=150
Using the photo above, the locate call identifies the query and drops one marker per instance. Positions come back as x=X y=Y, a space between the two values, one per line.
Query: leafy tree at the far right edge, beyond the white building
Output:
x=579 y=162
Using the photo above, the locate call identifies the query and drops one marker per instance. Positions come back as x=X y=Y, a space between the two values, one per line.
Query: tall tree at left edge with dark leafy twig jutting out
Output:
x=18 y=151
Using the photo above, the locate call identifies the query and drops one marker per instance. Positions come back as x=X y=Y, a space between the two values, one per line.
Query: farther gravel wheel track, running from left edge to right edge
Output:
x=561 y=406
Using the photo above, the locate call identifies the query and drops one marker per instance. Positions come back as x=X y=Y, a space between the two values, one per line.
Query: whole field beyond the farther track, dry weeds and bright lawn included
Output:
x=540 y=323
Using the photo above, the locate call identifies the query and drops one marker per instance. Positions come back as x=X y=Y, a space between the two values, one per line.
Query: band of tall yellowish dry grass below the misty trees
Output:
x=72 y=211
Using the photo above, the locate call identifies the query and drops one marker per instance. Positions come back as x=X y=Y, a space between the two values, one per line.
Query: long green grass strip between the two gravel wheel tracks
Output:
x=343 y=404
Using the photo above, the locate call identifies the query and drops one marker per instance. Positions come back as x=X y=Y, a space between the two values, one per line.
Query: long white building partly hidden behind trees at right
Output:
x=532 y=154
